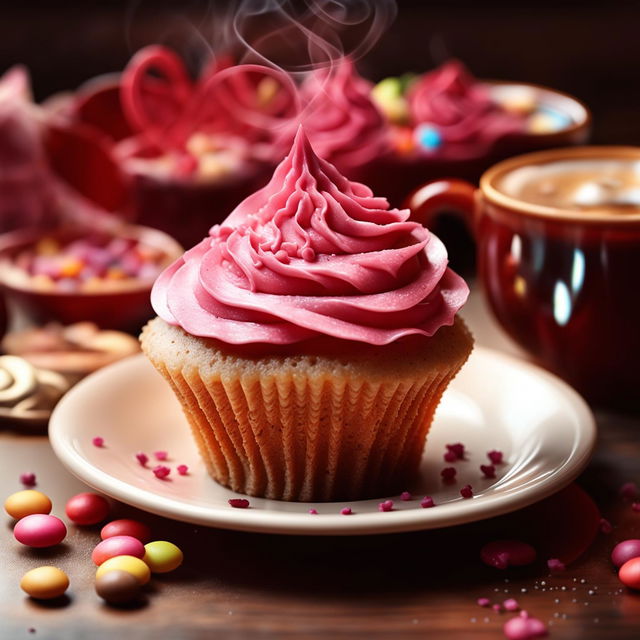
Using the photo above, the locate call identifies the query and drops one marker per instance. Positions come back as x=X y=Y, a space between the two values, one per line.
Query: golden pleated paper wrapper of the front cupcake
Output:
x=309 y=438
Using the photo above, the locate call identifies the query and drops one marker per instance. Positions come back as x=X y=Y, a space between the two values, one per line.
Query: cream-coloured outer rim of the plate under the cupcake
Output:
x=281 y=522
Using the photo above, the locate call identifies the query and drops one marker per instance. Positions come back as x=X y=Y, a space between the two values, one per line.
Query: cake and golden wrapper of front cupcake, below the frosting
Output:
x=311 y=426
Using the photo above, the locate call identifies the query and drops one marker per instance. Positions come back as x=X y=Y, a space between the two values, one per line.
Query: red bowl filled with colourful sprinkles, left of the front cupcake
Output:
x=71 y=275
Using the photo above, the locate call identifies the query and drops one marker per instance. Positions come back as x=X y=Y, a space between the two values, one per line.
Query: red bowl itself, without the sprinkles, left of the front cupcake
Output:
x=126 y=309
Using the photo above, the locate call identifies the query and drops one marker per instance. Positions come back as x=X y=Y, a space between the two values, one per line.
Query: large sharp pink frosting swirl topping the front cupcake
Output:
x=309 y=255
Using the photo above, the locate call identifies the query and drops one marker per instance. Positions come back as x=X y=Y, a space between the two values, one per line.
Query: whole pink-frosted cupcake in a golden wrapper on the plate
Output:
x=309 y=338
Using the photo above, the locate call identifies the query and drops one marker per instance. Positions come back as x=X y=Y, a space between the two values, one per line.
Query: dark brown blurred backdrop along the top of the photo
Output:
x=590 y=49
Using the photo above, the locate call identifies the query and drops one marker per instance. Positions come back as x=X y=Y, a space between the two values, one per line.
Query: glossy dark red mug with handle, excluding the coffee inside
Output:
x=563 y=283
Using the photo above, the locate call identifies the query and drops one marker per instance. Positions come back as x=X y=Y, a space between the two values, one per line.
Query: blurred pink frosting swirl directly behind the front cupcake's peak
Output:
x=343 y=123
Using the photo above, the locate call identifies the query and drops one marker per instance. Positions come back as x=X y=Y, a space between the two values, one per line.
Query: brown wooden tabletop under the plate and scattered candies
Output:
x=240 y=585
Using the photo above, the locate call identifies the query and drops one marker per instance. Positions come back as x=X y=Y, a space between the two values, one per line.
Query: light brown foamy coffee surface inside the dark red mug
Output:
x=578 y=184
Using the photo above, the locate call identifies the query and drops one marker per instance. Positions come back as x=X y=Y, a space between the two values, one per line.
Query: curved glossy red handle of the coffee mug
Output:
x=449 y=194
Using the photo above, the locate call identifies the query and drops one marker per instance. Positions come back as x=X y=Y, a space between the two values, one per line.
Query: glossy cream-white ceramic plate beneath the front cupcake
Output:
x=543 y=427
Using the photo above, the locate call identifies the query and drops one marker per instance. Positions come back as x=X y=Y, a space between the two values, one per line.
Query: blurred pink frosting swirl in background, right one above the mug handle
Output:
x=461 y=109
